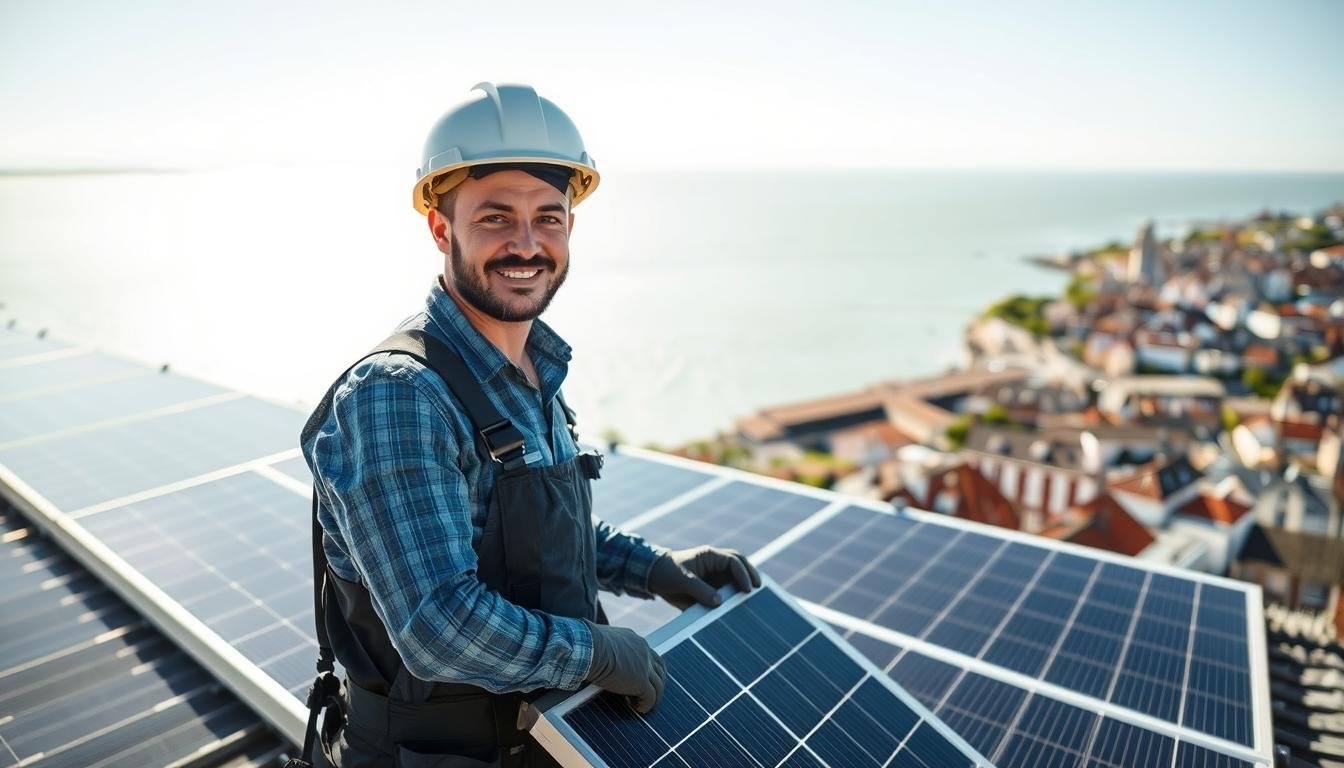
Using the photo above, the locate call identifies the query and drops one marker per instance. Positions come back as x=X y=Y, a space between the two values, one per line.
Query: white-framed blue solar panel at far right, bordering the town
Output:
x=1119 y=634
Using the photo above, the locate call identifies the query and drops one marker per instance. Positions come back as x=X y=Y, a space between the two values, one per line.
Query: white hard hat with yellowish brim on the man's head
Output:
x=502 y=124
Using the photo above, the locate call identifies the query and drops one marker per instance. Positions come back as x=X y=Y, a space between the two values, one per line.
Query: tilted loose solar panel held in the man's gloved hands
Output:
x=755 y=683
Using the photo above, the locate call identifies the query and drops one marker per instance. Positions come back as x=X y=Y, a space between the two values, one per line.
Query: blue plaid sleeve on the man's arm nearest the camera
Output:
x=388 y=462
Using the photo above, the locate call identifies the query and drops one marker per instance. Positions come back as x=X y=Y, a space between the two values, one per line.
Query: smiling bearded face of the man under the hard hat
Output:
x=509 y=244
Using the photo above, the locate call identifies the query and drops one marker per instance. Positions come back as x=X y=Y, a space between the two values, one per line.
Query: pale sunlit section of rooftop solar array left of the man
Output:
x=178 y=494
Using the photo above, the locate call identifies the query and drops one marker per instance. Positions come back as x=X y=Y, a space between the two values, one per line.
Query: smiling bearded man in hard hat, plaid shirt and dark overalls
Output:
x=451 y=496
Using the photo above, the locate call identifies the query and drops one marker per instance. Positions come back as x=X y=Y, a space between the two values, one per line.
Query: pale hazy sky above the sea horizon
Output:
x=1076 y=84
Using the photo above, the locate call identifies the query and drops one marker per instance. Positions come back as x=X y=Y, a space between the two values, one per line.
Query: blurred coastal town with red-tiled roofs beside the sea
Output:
x=1181 y=403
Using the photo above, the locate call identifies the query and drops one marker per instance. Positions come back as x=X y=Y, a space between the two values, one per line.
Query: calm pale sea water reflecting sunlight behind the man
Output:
x=693 y=298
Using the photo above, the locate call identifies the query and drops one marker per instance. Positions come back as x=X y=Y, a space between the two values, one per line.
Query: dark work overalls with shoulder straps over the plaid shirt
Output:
x=537 y=551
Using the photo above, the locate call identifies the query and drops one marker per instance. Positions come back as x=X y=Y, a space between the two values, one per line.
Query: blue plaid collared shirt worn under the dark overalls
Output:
x=404 y=497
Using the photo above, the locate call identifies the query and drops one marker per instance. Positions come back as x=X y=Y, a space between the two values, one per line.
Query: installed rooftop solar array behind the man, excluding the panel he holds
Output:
x=193 y=504
